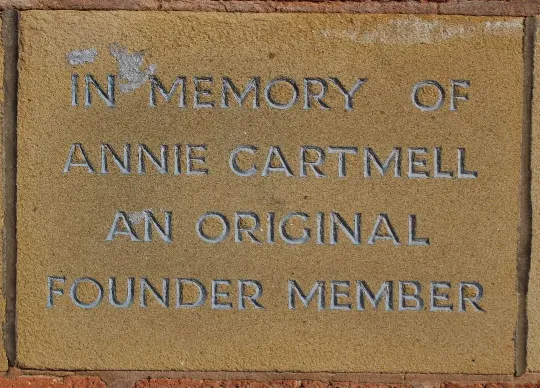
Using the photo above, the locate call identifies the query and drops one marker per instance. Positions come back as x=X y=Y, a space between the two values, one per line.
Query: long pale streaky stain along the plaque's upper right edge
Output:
x=415 y=30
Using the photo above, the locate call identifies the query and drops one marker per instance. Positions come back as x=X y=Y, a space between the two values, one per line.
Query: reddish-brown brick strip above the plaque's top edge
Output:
x=457 y=7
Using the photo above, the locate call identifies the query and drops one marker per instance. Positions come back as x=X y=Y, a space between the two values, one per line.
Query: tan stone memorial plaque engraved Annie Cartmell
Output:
x=268 y=192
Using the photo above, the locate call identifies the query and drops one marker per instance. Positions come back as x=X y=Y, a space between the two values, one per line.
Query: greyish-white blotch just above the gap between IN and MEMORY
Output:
x=130 y=68
